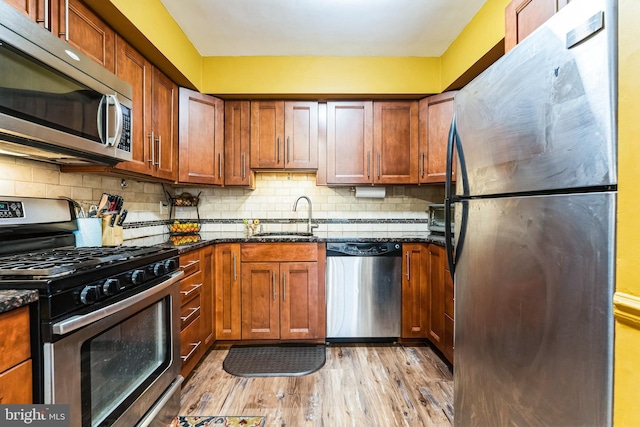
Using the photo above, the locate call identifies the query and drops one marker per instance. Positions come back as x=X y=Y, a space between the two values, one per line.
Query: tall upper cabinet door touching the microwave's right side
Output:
x=136 y=70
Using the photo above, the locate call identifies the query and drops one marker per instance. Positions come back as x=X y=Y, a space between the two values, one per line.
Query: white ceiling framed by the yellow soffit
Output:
x=322 y=27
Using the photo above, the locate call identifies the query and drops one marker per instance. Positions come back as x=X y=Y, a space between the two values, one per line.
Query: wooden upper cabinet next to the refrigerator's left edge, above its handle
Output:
x=436 y=115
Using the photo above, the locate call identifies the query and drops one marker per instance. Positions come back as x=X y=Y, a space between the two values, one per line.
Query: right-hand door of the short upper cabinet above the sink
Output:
x=301 y=135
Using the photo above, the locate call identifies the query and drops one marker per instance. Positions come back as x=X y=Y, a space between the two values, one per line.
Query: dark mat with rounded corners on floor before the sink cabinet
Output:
x=274 y=360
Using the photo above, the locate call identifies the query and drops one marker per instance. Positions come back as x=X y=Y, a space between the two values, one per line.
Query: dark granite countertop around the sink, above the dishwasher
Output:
x=208 y=238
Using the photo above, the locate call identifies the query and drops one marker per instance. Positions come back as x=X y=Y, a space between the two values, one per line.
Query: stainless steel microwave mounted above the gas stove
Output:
x=56 y=104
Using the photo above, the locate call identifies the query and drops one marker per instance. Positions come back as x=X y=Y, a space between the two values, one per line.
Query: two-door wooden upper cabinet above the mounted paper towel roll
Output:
x=372 y=142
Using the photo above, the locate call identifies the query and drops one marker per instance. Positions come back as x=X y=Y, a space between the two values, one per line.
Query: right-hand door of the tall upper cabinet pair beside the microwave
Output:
x=164 y=106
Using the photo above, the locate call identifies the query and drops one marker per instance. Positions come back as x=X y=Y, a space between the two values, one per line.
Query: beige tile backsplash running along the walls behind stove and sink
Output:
x=223 y=209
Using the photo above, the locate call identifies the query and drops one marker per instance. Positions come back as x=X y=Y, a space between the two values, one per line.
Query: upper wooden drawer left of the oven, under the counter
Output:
x=14 y=340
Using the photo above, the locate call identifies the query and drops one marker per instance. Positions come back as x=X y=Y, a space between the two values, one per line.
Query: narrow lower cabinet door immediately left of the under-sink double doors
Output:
x=227 y=283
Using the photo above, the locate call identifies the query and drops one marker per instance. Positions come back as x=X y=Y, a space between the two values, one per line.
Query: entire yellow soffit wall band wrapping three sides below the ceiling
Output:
x=316 y=75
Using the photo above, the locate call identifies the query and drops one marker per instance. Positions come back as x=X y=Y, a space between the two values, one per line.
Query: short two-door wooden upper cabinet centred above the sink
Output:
x=284 y=135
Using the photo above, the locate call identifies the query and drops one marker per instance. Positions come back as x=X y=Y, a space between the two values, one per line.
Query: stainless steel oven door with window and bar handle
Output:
x=118 y=365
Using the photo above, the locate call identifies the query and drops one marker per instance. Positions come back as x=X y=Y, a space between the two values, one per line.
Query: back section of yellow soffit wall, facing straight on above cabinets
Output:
x=321 y=75
